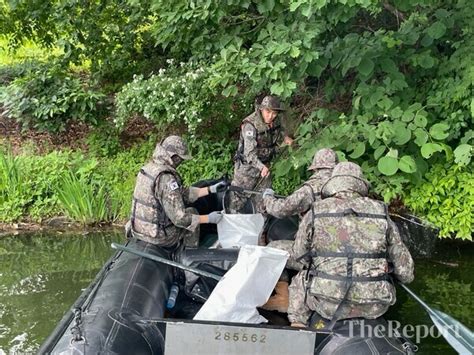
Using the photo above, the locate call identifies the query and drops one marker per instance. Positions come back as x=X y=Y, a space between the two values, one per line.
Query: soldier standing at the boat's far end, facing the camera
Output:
x=259 y=138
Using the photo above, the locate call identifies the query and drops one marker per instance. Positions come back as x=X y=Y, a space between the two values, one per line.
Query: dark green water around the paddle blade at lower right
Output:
x=445 y=283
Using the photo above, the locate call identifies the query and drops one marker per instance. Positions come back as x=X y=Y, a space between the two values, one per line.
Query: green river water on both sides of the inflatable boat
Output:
x=41 y=275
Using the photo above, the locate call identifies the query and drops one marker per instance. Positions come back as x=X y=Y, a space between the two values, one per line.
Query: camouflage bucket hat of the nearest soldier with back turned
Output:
x=346 y=176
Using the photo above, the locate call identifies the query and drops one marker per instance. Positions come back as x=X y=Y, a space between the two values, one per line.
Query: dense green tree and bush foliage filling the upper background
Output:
x=388 y=84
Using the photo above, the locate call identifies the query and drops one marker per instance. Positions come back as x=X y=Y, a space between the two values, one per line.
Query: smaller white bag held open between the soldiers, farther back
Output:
x=235 y=230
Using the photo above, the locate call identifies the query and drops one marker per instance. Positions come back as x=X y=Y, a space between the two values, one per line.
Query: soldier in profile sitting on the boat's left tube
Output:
x=158 y=212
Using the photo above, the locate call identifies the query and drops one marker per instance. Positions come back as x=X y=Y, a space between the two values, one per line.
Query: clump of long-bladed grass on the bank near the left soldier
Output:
x=84 y=201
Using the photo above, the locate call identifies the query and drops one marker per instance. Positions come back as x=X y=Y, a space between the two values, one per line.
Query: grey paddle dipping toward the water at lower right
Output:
x=456 y=334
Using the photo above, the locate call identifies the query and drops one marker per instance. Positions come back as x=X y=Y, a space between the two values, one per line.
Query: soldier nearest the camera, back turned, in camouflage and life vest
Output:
x=347 y=233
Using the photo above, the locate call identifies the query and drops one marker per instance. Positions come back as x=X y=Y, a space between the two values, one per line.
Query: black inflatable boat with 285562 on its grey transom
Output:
x=123 y=311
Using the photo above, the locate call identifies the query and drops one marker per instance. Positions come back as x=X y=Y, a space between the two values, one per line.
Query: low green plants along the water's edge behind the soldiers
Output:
x=77 y=189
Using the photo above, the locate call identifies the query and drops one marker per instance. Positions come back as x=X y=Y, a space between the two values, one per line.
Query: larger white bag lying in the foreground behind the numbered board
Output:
x=247 y=285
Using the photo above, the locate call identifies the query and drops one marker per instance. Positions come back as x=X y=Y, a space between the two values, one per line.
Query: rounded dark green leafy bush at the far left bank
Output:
x=48 y=98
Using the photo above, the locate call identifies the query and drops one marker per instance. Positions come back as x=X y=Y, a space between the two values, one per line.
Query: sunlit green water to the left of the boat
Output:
x=41 y=277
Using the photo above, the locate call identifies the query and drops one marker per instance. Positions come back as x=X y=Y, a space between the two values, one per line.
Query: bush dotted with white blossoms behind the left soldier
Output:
x=179 y=94
